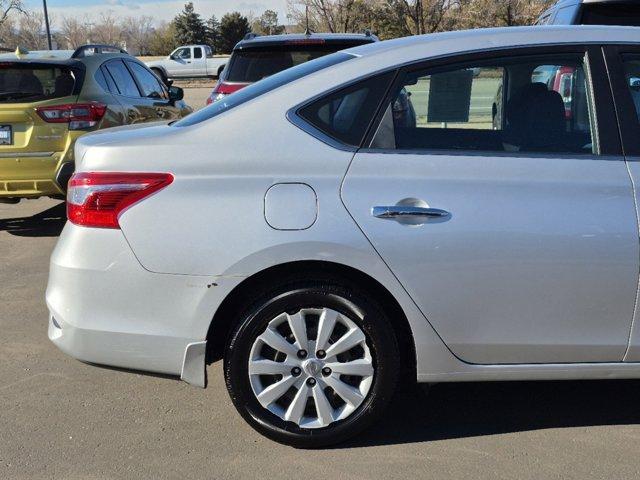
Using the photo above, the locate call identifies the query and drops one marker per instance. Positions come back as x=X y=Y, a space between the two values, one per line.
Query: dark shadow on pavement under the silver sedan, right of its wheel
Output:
x=462 y=410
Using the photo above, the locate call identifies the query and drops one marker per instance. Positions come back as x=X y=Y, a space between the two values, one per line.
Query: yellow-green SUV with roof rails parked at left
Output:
x=49 y=99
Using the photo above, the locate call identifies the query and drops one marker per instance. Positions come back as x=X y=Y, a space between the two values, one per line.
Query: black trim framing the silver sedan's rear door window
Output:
x=608 y=142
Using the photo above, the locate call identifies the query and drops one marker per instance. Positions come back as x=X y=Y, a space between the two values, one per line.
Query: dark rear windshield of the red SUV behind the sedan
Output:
x=256 y=63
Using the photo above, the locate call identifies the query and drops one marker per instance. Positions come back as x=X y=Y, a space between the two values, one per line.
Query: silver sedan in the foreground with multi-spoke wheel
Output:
x=455 y=207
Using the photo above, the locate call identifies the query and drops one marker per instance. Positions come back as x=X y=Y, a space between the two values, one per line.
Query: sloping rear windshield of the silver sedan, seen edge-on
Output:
x=260 y=88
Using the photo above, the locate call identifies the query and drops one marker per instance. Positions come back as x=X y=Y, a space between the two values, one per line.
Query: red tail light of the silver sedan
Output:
x=97 y=199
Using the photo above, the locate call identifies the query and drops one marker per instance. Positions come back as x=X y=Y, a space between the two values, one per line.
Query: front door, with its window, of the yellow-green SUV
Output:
x=155 y=97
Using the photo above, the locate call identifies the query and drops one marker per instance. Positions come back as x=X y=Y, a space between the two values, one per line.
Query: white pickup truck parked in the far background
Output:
x=189 y=61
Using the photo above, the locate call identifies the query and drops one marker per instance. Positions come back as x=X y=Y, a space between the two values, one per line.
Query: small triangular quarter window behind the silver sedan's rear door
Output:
x=346 y=115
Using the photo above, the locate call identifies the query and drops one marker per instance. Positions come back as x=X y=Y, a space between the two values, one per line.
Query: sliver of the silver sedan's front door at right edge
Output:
x=623 y=63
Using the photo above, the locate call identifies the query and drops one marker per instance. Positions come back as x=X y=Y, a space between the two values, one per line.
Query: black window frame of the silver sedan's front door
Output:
x=622 y=102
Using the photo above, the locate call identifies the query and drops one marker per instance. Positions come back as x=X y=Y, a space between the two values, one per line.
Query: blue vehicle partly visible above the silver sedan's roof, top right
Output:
x=592 y=12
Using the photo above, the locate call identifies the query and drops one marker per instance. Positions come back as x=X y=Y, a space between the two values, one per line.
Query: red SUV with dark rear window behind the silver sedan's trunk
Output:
x=257 y=57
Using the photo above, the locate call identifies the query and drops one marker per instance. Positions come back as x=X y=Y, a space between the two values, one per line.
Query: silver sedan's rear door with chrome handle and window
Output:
x=517 y=240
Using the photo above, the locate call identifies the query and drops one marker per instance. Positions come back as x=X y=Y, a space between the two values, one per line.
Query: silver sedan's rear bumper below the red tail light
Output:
x=105 y=308
